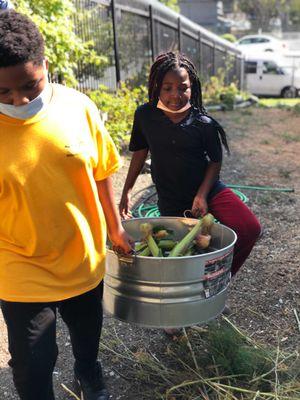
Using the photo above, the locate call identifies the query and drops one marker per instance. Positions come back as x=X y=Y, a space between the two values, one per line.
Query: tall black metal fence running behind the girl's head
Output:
x=131 y=33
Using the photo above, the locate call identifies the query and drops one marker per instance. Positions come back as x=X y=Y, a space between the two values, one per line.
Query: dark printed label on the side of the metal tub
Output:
x=217 y=274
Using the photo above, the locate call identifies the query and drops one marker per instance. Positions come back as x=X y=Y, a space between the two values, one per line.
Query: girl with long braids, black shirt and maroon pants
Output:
x=186 y=153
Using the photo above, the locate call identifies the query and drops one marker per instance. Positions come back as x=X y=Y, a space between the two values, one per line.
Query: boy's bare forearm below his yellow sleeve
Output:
x=107 y=200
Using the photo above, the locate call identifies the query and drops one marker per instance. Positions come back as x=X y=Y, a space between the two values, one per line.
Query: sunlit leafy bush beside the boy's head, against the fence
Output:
x=56 y=21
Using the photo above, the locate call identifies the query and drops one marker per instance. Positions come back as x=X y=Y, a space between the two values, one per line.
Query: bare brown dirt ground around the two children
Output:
x=265 y=295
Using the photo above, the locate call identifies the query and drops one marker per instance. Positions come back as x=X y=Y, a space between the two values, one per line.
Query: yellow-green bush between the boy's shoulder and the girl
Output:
x=119 y=107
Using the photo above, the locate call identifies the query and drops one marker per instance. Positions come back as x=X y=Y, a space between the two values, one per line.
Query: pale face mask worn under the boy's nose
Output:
x=30 y=109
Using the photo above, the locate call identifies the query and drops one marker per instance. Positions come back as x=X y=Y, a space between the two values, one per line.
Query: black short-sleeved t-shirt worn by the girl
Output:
x=179 y=154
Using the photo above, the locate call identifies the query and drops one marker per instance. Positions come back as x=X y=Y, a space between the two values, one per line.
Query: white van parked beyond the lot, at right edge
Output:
x=273 y=76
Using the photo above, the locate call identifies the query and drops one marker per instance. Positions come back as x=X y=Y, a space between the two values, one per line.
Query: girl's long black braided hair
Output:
x=171 y=61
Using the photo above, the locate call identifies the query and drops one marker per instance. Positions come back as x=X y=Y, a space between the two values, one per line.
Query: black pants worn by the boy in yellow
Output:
x=32 y=339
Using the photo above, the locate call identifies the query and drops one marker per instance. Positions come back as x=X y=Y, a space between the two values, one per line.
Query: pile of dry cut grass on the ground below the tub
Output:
x=218 y=362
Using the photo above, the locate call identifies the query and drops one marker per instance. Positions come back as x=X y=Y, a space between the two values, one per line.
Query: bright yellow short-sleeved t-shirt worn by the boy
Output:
x=52 y=227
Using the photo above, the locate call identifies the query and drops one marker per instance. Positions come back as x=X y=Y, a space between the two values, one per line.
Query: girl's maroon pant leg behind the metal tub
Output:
x=227 y=208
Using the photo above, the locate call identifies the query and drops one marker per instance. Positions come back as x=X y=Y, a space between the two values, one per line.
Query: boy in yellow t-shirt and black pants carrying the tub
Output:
x=56 y=202
